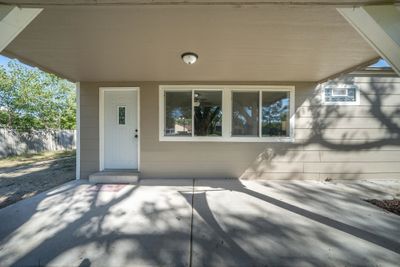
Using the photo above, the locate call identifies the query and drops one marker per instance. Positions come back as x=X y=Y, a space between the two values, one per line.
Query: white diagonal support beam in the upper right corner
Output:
x=380 y=27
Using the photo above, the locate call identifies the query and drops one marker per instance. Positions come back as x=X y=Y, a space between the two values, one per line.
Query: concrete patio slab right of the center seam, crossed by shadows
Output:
x=281 y=223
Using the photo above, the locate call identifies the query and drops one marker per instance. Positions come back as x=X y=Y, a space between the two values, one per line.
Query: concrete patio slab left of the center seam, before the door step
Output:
x=80 y=224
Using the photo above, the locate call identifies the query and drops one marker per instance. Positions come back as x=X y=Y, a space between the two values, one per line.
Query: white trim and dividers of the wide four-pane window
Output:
x=227 y=110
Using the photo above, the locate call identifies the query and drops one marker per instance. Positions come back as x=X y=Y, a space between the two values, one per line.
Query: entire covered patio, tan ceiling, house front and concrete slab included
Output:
x=129 y=54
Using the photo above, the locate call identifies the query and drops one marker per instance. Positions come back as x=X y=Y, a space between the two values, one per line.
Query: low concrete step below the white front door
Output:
x=115 y=177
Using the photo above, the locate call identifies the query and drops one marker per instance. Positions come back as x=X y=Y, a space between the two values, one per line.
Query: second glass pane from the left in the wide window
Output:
x=208 y=113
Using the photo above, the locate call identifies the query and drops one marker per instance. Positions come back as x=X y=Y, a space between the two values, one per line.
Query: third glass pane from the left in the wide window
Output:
x=245 y=113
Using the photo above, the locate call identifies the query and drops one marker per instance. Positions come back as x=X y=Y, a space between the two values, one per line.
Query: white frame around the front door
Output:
x=101 y=121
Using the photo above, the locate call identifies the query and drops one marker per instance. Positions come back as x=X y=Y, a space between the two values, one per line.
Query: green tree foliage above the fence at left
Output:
x=33 y=99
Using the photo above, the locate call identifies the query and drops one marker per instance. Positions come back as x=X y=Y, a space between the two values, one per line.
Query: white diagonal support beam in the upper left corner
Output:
x=13 y=20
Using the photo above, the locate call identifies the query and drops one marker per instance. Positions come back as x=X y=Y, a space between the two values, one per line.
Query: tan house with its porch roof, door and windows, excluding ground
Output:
x=279 y=90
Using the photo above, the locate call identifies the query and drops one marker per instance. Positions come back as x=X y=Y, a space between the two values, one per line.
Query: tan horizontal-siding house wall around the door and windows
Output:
x=337 y=142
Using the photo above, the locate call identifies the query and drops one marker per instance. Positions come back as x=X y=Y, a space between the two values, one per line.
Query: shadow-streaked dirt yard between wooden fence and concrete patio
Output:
x=25 y=176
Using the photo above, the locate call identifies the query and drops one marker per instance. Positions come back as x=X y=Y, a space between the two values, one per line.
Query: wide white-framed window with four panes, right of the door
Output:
x=227 y=113
